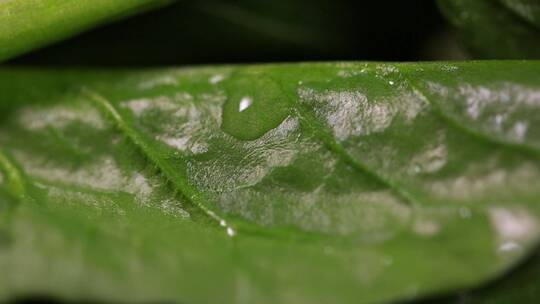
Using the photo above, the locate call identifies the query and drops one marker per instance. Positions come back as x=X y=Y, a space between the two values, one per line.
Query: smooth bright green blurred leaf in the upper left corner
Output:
x=29 y=24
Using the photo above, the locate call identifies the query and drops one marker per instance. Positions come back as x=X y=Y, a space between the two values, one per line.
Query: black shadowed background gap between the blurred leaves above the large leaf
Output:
x=237 y=31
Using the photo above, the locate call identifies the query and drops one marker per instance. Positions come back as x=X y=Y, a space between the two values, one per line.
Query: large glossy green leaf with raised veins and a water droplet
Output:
x=288 y=183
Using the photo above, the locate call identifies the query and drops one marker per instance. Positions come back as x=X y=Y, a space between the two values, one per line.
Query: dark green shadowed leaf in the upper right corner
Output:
x=503 y=29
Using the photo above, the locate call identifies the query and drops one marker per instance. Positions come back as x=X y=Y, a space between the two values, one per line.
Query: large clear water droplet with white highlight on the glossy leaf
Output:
x=255 y=104
